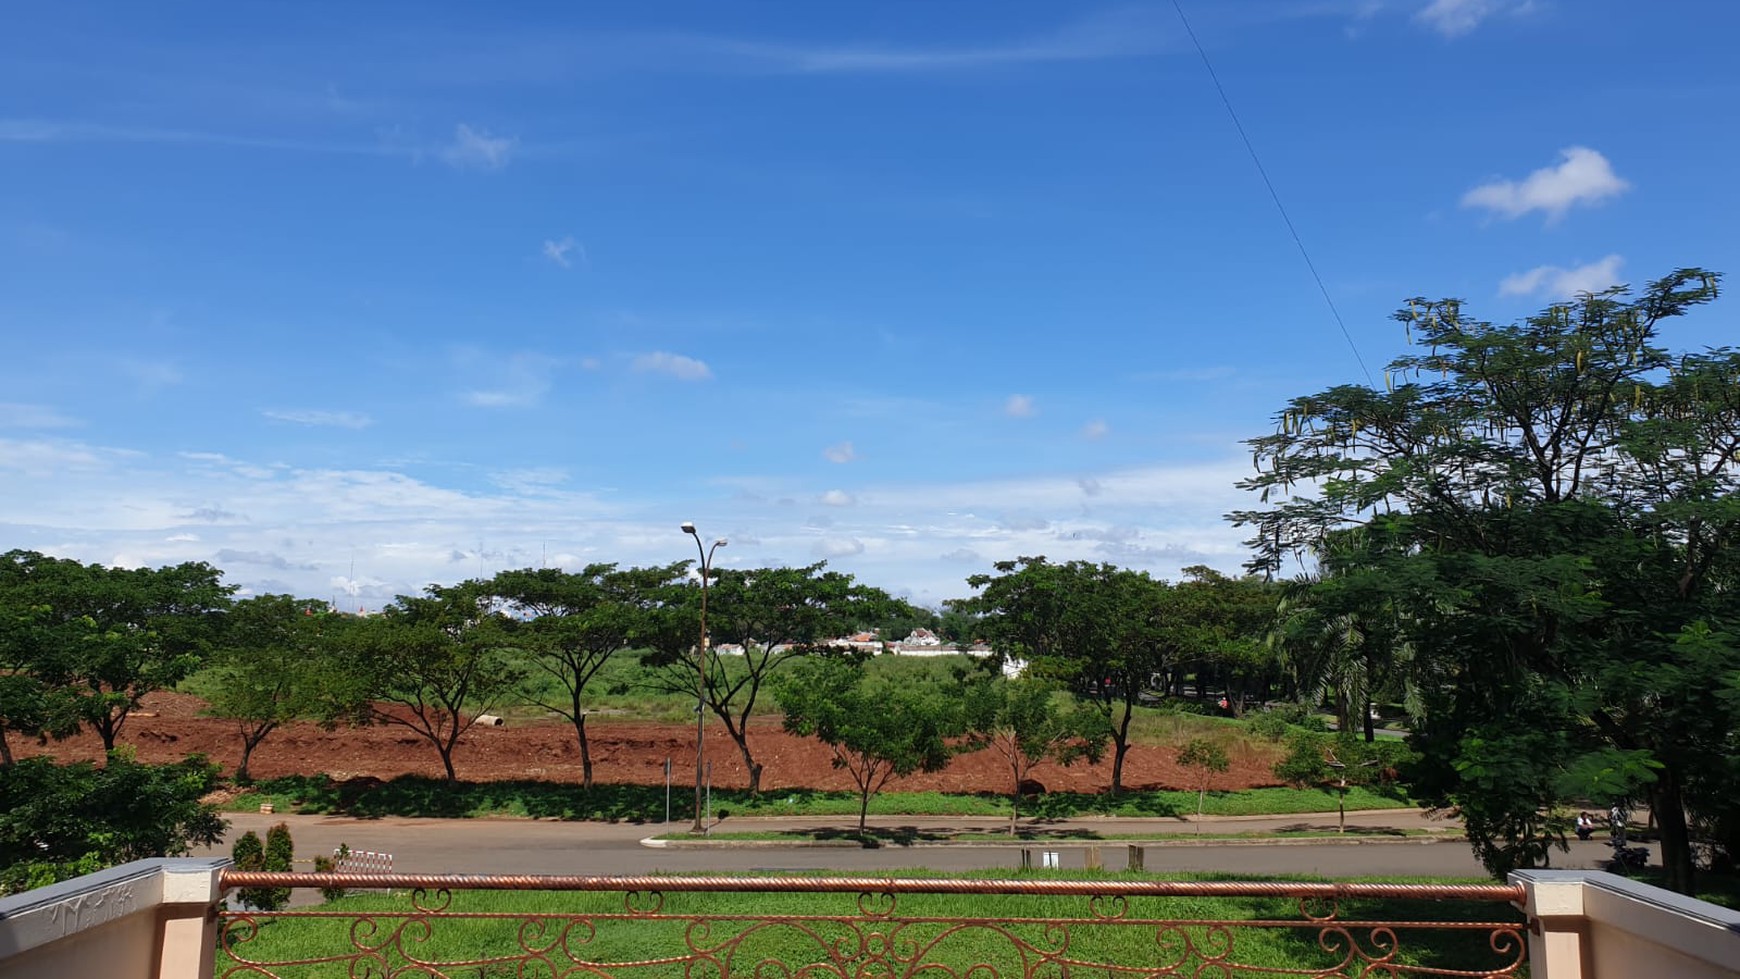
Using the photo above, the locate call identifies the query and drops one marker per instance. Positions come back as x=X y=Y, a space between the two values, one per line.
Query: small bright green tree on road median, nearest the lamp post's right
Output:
x=878 y=728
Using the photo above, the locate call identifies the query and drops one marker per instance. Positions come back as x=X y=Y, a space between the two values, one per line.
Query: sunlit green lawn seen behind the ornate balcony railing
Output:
x=857 y=947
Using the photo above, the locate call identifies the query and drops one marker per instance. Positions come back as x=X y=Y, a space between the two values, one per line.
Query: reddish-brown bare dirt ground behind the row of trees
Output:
x=168 y=728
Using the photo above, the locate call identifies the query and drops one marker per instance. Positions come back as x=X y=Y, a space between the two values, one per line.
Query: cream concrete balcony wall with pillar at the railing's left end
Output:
x=140 y=921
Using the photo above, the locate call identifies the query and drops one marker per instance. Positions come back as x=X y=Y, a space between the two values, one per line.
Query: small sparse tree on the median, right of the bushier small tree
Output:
x=1024 y=724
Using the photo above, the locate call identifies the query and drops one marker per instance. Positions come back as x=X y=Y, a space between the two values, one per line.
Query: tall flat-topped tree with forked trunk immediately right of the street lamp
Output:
x=775 y=616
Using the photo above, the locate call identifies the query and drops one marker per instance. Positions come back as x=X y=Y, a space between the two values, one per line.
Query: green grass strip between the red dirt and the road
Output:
x=418 y=796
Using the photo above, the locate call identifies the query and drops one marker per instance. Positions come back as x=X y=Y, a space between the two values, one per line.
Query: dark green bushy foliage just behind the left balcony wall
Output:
x=58 y=822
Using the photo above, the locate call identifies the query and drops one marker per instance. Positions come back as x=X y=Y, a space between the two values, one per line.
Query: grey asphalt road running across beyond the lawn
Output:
x=518 y=846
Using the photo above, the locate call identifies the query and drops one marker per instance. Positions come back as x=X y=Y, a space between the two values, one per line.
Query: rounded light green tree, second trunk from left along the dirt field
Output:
x=276 y=665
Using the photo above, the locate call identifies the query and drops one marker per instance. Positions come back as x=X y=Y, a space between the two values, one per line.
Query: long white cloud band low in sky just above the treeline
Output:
x=398 y=531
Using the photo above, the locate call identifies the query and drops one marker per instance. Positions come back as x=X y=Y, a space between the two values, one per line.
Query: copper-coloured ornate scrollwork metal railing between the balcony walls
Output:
x=813 y=928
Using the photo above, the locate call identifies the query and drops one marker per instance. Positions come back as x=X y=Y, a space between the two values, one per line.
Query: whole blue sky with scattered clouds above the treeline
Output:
x=351 y=298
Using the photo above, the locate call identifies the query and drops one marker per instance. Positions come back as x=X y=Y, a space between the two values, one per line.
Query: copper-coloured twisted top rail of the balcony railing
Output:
x=1497 y=893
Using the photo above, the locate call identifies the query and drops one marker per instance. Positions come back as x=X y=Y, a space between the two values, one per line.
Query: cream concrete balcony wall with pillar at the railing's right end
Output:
x=1602 y=926
